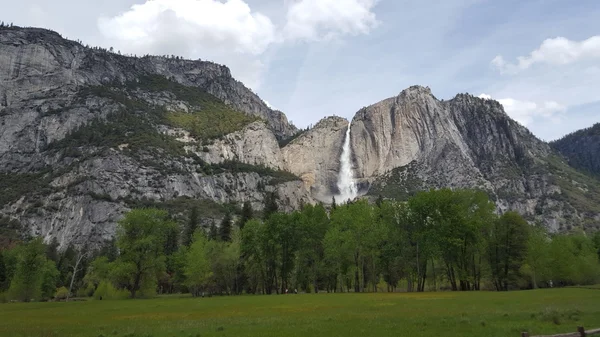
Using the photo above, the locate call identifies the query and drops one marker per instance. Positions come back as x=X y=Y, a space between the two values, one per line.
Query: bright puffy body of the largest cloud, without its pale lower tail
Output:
x=203 y=23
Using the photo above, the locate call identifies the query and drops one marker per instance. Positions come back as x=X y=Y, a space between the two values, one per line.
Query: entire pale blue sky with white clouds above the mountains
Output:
x=316 y=58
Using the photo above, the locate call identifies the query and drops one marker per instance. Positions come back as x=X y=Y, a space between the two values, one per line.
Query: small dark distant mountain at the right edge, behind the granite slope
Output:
x=582 y=149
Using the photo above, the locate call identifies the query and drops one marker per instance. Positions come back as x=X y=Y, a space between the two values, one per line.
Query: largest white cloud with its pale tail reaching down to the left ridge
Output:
x=225 y=32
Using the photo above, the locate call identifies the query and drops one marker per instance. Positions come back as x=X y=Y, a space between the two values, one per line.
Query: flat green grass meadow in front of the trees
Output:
x=382 y=314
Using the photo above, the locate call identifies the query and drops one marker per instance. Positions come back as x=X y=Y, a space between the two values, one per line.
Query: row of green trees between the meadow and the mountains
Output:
x=437 y=240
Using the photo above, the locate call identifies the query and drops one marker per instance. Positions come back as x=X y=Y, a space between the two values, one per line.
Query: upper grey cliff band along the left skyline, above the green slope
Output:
x=39 y=63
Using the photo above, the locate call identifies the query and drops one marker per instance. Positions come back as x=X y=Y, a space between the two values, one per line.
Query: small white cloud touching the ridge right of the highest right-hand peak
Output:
x=526 y=112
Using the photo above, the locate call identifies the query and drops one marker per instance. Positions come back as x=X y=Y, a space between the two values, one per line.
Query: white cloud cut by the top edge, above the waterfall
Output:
x=326 y=19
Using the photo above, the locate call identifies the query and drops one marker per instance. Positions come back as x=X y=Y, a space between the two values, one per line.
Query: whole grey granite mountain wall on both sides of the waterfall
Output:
x=87 y=134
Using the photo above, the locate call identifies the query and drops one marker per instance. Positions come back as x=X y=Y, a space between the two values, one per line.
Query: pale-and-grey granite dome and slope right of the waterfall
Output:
x=414 y=141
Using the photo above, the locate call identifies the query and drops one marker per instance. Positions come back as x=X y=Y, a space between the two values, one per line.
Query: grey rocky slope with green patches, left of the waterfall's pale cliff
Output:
x=87 y=134
